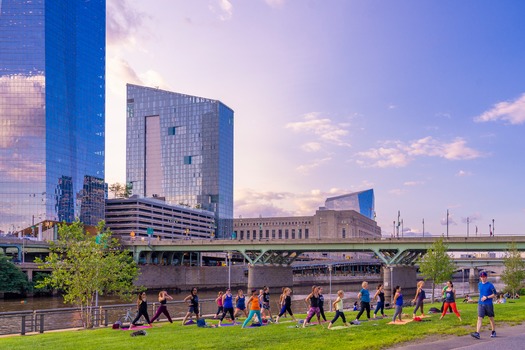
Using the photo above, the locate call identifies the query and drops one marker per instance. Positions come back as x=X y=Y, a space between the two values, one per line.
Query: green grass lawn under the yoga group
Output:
x=369 y=335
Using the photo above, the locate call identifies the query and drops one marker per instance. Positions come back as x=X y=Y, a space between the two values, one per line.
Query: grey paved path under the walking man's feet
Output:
x=509 y=338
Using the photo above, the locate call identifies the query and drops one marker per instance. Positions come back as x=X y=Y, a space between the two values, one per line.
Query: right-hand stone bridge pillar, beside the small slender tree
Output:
x=399 y=275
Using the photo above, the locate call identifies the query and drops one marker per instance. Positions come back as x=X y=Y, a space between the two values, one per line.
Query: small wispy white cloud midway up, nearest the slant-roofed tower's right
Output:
x=323 y=128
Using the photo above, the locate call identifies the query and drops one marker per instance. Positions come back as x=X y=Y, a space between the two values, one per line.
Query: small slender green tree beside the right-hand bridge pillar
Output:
x=436 y=264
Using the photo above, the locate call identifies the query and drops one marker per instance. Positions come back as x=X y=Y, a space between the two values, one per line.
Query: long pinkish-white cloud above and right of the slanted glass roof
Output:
x=398 y=154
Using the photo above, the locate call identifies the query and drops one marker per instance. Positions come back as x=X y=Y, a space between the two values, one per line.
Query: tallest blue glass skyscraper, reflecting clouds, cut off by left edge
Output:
x=52 y=91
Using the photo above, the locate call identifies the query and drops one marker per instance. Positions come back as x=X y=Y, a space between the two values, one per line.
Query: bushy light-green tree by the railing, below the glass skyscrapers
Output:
x=81 y=268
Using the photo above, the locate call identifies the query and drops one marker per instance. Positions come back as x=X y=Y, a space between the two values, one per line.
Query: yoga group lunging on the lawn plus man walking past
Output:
x=257 y=306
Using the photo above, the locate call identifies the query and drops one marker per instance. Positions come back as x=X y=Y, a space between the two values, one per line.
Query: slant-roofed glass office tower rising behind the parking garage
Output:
x=180 y=148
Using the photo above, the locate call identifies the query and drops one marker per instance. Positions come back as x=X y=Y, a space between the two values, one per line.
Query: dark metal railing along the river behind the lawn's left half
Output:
x=40 y=321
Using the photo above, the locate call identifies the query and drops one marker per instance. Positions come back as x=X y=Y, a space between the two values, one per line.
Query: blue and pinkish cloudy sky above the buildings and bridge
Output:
x=423 y=101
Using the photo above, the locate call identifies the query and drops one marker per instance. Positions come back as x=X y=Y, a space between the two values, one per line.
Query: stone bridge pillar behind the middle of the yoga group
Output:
x=269 y=275
